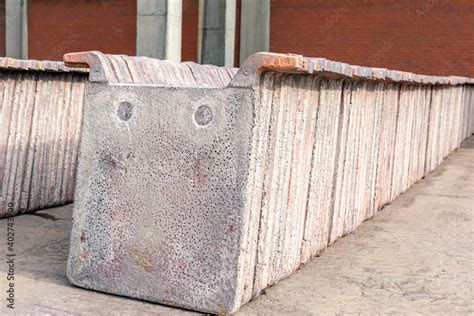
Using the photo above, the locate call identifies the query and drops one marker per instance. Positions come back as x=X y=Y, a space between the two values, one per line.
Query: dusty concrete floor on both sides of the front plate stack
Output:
x=415 y=256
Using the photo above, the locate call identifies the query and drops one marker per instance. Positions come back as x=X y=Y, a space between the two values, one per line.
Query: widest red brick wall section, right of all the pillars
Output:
x=421 y=36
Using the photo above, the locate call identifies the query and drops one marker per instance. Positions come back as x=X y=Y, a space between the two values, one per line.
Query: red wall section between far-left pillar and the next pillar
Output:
x=56 y=27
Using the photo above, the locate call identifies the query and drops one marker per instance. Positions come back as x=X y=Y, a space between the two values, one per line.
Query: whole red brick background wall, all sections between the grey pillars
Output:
x=423 y=36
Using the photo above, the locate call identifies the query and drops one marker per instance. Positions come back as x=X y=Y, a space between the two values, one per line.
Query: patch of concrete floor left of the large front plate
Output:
x=41 y=287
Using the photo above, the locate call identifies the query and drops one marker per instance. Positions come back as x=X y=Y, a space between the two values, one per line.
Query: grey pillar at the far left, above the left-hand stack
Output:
x=16 y=29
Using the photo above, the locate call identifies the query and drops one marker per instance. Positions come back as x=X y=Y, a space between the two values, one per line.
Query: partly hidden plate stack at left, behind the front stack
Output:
x=40 y=117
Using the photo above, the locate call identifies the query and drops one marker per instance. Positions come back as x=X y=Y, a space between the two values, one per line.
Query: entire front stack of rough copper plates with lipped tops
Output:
x=202 y=194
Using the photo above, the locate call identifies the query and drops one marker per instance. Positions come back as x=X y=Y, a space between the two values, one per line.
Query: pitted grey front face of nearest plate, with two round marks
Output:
x=185 y=253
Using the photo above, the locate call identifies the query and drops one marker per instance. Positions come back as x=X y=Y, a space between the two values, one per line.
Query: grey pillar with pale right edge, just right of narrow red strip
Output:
x=217 y=32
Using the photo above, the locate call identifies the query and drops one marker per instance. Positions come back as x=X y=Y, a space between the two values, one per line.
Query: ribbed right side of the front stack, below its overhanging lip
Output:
x=329 y=153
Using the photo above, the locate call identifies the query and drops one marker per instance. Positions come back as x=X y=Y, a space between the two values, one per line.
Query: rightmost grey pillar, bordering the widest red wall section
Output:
x=254 y=27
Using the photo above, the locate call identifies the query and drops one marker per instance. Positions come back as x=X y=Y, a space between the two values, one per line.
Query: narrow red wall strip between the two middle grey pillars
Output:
x=190 y=27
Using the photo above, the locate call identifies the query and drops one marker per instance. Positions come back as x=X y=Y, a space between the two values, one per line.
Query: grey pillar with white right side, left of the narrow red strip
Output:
x=159 y=29
